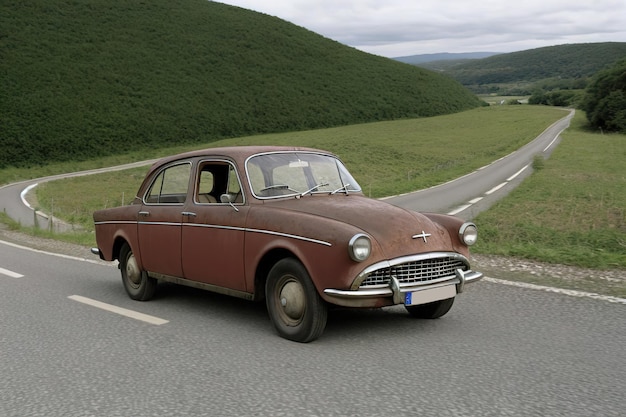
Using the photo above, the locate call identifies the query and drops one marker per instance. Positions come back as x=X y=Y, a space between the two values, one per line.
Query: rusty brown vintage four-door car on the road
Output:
x=286 y=225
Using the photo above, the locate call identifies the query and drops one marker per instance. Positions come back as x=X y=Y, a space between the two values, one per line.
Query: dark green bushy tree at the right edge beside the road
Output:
x=605 y=100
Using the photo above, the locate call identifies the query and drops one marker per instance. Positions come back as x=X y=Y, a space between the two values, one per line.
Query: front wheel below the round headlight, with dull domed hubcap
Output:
x=294 y=306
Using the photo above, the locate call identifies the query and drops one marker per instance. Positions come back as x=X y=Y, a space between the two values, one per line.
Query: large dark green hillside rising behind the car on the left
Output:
x=89 y=78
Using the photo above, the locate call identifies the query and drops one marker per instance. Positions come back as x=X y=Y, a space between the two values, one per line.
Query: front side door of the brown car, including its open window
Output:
x=213 y=232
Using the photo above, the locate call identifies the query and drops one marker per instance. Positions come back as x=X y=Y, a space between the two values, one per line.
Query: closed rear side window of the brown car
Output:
x=170 y=185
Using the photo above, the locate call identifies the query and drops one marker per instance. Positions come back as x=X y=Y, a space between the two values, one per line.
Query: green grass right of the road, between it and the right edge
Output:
x=572 y=211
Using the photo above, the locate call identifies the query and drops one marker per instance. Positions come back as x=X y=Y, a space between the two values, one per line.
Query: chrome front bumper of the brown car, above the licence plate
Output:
x=396 y=290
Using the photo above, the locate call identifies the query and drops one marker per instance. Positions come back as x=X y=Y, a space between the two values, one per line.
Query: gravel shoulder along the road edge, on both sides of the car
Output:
x=604 y=282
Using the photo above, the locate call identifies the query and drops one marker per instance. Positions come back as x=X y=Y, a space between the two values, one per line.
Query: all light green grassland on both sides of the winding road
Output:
x=571 y=211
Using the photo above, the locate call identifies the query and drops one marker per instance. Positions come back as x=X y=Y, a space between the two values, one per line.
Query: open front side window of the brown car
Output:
x=215 y=179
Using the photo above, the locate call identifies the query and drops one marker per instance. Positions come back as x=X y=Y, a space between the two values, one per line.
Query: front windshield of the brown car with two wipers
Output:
x=298 y=173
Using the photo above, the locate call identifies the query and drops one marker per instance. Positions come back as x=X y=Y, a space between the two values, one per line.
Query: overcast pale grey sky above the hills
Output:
x=395 y=28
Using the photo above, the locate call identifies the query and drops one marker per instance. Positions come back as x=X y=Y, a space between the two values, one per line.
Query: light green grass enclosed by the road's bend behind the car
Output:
x=387 y=158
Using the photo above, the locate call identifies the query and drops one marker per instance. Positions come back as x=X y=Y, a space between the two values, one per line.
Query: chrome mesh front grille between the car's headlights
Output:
x=421 y=271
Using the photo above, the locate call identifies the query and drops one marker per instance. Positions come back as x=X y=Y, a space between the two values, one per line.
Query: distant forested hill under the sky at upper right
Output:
x=564 y=64
